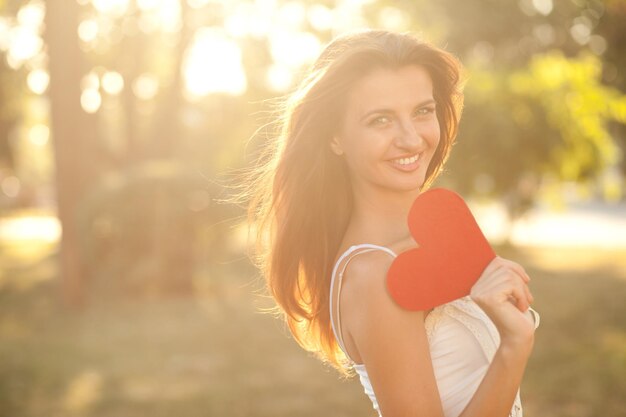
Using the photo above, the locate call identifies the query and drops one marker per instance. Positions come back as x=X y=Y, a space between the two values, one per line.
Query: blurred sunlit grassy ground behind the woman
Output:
x=214 y=353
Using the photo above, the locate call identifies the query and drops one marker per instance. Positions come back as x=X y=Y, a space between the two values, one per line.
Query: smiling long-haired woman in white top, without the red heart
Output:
x=366 y=132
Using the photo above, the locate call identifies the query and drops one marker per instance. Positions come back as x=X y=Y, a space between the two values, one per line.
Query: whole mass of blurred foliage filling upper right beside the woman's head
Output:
x=543 y=101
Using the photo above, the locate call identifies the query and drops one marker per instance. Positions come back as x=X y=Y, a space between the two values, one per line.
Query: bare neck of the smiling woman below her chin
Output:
x=380 y=216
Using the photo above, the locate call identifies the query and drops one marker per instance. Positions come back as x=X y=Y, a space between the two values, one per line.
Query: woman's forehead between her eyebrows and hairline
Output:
x=390 y=88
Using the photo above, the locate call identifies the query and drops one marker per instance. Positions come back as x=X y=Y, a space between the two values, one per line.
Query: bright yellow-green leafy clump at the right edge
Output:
x=578 y=106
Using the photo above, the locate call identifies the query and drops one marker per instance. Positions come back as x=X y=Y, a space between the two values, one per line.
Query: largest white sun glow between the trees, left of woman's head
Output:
x=213 y=65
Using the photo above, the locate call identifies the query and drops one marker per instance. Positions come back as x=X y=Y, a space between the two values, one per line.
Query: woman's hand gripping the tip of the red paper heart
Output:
x=503 y=294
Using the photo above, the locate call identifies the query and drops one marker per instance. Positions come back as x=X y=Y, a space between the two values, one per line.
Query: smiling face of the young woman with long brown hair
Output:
x=390 y=129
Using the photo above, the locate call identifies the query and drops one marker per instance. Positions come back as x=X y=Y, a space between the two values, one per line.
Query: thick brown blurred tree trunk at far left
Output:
x=74 y=134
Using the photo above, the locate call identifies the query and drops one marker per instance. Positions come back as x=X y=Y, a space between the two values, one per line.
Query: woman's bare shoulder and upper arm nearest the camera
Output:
x=391 y=341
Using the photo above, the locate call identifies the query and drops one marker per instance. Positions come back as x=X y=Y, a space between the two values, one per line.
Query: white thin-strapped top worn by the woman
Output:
x=462 y=340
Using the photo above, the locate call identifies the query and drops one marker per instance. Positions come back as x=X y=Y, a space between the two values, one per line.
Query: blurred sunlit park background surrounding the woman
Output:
x=125 y=283
